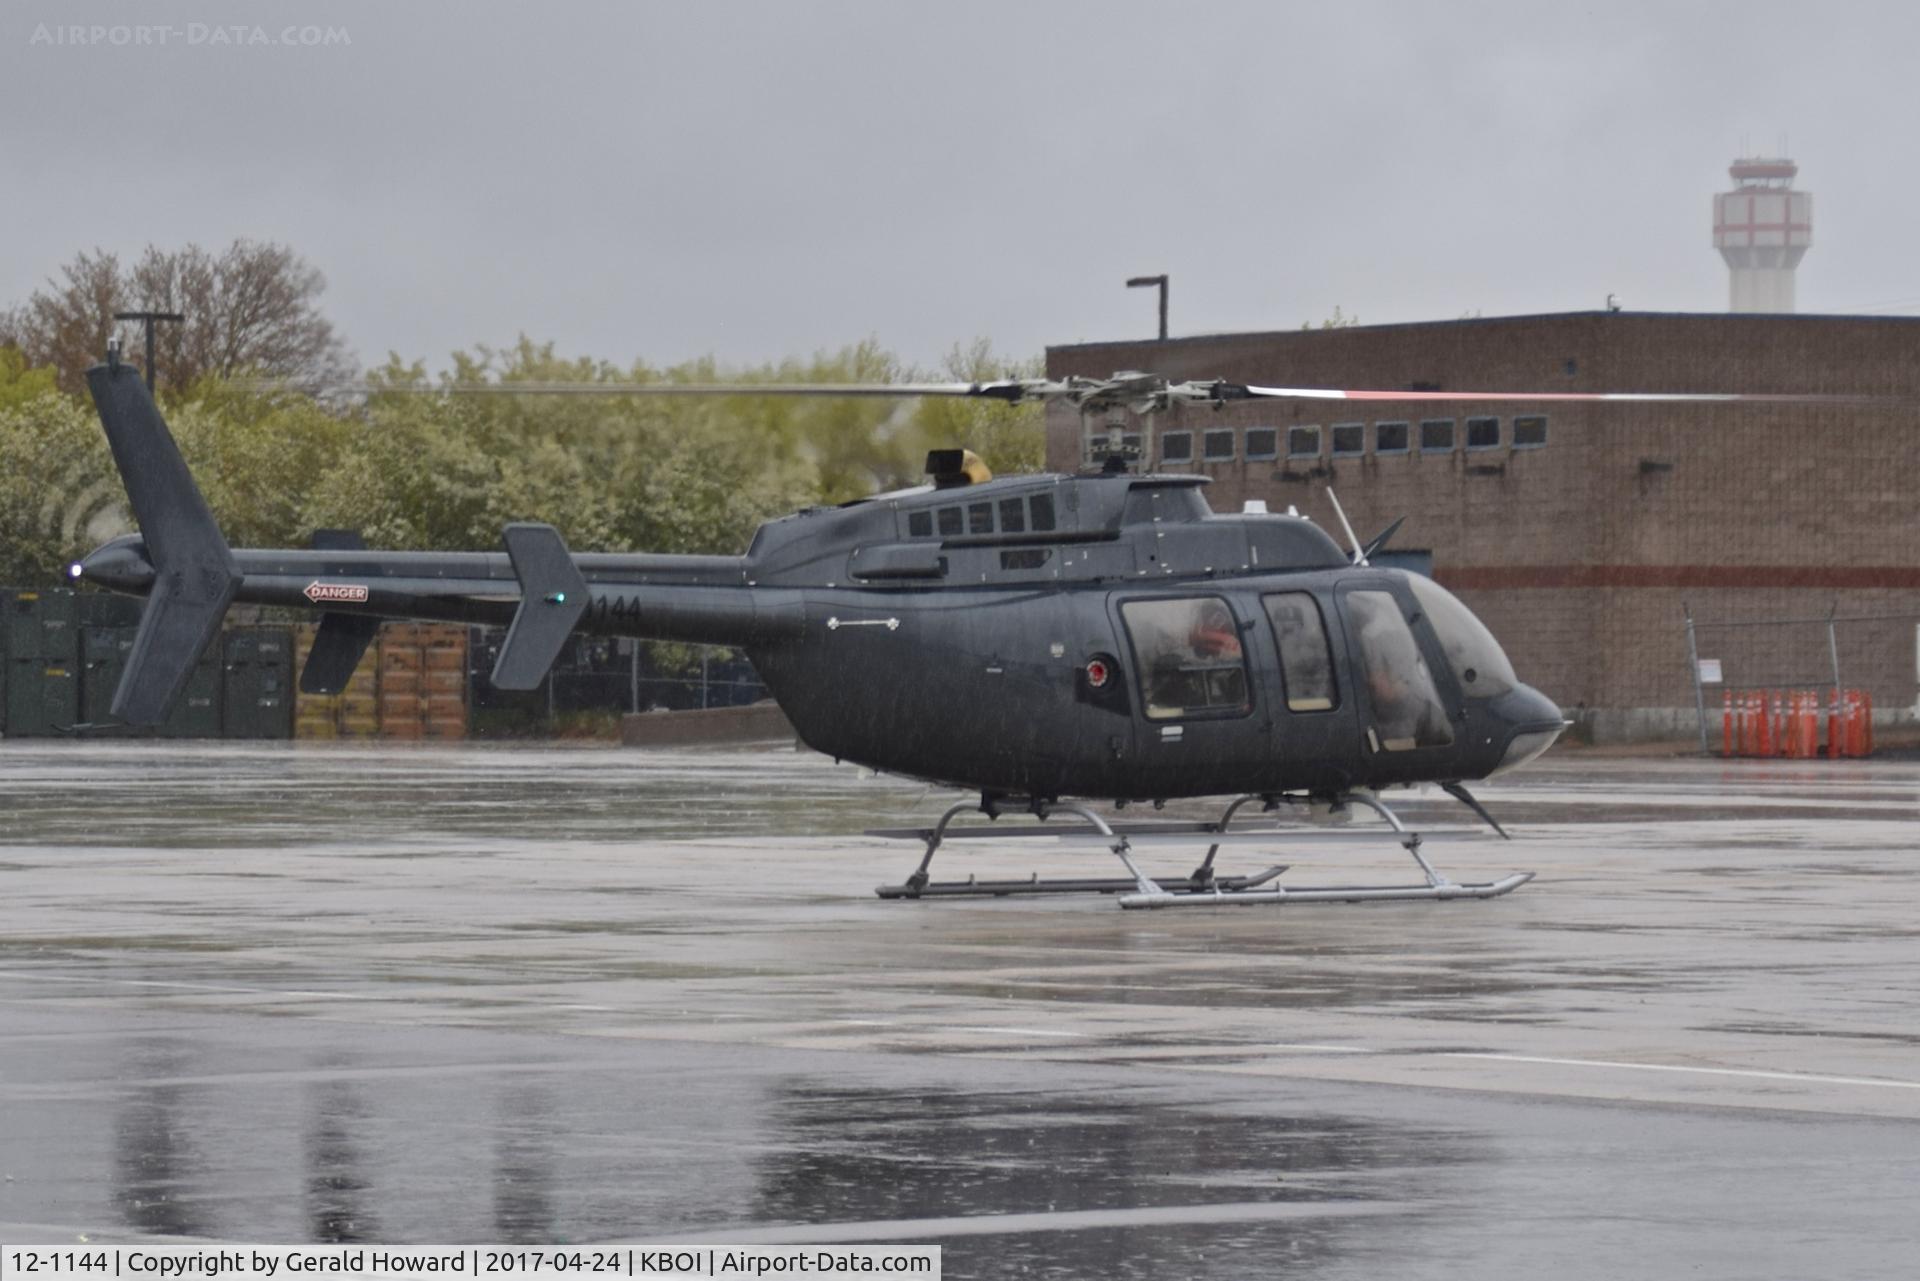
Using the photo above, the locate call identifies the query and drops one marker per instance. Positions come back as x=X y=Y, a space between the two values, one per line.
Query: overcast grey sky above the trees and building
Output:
x=769 y=180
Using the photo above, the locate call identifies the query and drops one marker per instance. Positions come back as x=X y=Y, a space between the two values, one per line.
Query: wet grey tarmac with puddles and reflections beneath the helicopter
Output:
x=324 y=994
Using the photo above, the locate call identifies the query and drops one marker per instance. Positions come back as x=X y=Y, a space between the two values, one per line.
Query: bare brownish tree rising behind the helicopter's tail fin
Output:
x=252 y=308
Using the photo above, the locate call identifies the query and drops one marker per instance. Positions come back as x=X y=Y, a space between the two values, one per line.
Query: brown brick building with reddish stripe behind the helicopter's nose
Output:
x=1581 y=533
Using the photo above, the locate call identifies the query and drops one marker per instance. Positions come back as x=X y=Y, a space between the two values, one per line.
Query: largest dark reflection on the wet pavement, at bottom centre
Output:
x=865 y=1155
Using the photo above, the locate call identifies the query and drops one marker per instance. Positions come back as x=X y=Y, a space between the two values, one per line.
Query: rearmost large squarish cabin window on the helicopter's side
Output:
x=1189 y=658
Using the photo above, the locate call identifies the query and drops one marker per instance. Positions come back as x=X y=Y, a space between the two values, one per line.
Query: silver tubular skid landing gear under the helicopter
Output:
x=1199 y=888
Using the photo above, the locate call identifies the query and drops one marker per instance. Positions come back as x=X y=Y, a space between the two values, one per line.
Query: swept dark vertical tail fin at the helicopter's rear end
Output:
x=195 y=573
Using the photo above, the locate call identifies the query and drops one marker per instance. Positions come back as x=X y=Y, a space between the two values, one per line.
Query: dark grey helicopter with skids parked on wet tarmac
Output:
x=1040 y=640
